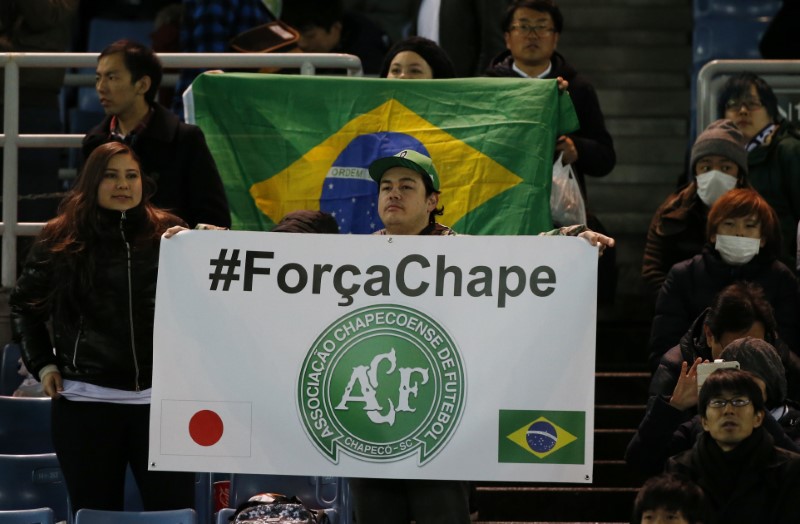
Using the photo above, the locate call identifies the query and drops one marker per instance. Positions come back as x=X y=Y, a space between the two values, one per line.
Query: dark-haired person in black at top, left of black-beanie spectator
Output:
x=326 y=28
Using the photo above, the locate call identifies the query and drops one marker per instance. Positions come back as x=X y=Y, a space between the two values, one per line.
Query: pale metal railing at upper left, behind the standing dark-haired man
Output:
x=12 y=140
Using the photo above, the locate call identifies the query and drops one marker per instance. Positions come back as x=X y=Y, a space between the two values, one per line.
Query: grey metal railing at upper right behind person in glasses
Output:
x=780 y=74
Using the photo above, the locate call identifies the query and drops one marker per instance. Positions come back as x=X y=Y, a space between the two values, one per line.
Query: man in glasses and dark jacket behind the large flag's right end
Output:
x=531 y=30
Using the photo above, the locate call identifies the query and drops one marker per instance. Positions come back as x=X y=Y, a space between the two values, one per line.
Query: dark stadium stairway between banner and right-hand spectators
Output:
x=637 y=54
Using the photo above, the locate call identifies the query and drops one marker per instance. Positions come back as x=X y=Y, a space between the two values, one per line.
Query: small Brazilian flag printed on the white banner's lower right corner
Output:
x=552 y=437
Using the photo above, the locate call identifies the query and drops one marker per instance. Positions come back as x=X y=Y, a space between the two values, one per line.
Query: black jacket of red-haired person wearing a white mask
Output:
x=691 y=286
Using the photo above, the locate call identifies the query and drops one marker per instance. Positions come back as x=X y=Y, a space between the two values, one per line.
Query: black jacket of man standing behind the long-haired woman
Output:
x=176 y=156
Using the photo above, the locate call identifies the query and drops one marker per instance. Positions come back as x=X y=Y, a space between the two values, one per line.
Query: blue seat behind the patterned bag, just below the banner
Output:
x=328 y=493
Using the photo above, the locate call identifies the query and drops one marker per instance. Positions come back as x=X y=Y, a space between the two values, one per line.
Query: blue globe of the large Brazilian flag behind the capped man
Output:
x=348 y=193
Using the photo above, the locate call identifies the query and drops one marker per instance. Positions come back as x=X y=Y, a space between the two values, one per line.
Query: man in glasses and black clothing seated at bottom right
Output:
x=744 y=477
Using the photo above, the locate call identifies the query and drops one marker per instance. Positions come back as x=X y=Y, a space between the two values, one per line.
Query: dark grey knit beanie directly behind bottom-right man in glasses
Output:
x=761 y=359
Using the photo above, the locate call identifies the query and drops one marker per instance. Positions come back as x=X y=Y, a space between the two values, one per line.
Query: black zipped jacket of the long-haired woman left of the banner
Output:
x=107 y=339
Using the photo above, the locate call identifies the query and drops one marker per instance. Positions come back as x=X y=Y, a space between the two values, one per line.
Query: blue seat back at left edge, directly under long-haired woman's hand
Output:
x=25 y=425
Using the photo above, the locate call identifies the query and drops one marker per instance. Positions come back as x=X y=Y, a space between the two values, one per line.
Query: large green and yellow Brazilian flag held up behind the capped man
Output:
x=288 y=142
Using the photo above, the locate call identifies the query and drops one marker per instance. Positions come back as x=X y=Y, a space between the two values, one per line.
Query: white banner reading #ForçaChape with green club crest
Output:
x=375 y=356
